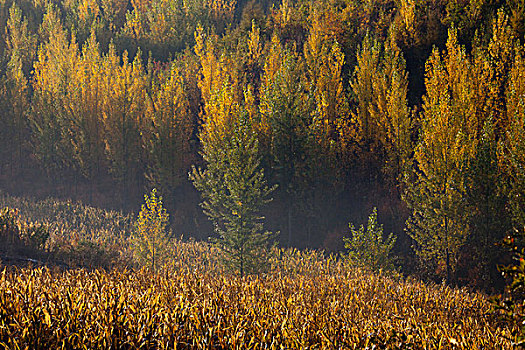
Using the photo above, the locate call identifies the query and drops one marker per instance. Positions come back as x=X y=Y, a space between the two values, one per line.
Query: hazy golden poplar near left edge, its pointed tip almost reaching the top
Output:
x=50 y=122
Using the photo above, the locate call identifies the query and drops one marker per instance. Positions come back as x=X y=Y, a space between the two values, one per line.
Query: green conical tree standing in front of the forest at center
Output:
x=234 y=191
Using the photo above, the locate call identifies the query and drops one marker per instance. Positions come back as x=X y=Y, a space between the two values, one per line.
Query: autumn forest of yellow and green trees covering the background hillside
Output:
x=414 y=107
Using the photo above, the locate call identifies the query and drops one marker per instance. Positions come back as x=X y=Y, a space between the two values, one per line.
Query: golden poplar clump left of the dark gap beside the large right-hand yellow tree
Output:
x=380 y=87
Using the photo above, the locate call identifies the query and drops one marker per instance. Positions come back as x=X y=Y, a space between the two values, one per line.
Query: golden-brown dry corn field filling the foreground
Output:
x=305 y=301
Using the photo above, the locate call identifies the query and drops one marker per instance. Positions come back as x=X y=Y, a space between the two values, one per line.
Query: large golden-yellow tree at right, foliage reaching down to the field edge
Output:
x=435 y=194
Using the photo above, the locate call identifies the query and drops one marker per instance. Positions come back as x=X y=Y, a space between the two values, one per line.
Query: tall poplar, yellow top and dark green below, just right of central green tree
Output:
x=286 y=108
